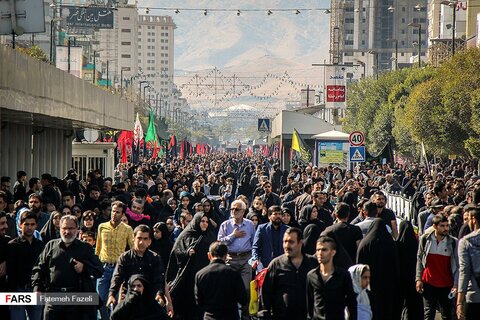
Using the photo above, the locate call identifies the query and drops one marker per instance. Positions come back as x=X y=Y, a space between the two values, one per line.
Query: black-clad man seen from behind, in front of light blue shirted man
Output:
x=218 y=288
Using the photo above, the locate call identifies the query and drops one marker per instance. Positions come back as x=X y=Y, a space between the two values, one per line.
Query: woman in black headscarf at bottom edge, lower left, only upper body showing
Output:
x=139 y=302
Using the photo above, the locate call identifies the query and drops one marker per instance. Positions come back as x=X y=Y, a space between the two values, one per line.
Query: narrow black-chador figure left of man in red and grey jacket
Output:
x=407 y=246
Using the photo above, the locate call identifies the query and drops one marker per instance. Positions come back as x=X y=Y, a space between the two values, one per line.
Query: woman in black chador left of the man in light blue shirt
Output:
x=188 y=256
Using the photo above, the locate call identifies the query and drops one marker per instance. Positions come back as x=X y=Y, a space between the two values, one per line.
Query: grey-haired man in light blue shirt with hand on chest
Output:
x=238 y=233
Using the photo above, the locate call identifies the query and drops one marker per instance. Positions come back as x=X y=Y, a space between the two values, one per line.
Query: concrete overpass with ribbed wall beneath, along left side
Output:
x=40 y=106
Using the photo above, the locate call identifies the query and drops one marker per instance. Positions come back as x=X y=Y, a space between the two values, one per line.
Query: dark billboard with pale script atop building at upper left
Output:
x=88 y=17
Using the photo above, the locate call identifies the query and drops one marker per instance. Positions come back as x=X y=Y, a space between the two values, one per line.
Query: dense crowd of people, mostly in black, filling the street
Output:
x=184 y=238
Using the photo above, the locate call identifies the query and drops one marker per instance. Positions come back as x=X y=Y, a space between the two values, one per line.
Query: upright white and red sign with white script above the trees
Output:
x=336 y=90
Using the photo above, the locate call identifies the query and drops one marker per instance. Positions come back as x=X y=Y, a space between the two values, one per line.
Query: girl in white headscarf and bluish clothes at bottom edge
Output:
x=361 y=284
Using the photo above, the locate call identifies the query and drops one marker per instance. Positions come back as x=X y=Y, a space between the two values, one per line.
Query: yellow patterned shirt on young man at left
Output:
x=112 y=242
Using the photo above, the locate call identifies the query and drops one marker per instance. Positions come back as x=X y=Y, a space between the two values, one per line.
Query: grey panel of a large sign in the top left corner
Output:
x=29 y=16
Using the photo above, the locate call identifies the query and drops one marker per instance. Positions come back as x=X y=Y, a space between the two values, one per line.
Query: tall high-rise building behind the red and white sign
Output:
x=380 y=34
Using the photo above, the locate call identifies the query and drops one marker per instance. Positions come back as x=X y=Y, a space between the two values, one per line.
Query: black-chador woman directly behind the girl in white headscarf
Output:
x=379 y=252
